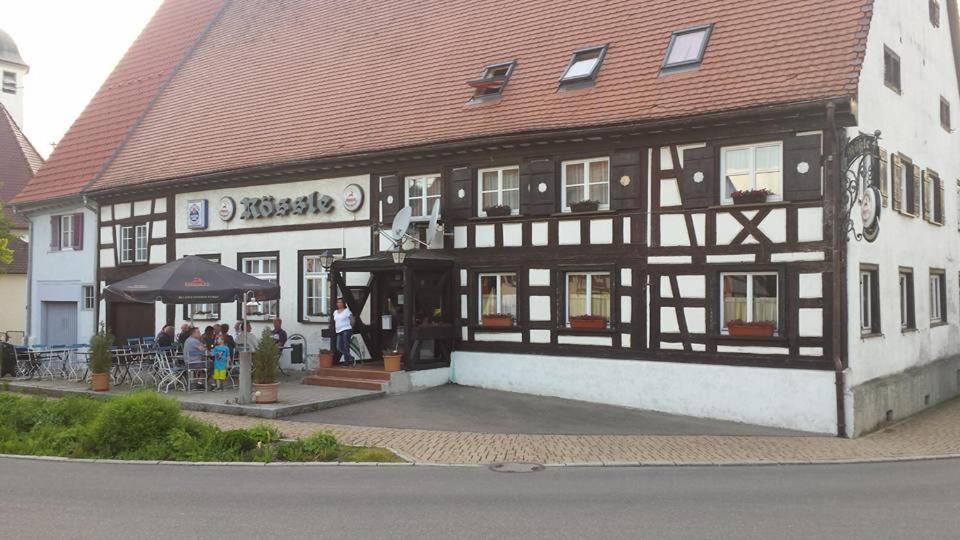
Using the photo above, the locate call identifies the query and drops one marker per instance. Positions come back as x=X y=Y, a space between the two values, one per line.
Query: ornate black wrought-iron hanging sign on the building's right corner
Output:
x=861 y=175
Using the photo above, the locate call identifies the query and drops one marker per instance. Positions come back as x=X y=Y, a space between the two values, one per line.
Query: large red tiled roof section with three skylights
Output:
x=308 y=79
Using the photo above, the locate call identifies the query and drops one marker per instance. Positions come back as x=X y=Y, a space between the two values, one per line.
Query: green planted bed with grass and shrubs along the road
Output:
x=148 y=426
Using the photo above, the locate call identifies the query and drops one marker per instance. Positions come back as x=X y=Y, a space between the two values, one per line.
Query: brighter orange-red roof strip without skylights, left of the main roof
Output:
x=134 y=83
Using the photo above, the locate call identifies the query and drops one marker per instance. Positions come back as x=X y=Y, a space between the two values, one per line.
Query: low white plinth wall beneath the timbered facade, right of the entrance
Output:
x=760 y=396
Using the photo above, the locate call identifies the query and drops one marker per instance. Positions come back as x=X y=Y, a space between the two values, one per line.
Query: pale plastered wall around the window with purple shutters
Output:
x=58 y=276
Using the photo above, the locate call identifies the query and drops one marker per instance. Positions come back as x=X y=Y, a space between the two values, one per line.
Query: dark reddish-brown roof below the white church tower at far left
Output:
x=19 y=161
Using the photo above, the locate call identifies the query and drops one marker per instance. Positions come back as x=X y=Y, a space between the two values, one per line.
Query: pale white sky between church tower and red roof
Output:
x=71 y=47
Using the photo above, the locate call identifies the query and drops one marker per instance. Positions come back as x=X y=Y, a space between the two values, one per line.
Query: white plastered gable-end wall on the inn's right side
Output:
x=910 y=124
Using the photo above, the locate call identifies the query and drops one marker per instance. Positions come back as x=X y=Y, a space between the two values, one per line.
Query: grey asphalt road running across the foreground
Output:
x=87 y=500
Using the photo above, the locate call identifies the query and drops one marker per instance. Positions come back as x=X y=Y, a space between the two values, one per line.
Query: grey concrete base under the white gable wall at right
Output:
x=904 y=394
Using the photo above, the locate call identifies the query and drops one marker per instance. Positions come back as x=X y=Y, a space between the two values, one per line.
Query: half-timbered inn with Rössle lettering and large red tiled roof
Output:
x=643 y=203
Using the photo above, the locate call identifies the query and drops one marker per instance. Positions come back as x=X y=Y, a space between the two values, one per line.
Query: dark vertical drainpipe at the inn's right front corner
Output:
x=833 y=191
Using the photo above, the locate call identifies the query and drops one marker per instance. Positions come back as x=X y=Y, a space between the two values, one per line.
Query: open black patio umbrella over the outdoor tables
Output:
x=193 y=280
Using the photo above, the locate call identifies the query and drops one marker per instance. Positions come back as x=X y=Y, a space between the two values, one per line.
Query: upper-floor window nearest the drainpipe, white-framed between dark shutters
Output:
x=752 y=167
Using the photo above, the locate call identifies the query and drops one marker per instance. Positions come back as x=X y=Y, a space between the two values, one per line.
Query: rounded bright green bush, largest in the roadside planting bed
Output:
x=132 y=421
